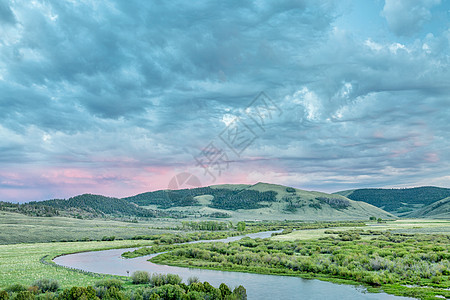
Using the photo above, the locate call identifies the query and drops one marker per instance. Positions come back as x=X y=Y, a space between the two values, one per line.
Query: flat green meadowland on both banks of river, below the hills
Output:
x=403 y=257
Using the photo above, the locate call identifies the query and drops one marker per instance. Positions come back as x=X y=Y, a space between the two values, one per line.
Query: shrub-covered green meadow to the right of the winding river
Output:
x=408 y=264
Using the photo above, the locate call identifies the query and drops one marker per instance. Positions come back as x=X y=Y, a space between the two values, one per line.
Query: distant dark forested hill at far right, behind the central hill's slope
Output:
x=401 y=202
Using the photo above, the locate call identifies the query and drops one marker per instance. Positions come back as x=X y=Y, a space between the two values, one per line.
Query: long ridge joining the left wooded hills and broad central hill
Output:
x=261 y=201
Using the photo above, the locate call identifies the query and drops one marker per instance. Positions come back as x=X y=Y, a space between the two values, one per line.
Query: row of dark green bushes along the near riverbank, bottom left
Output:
x=142 y=286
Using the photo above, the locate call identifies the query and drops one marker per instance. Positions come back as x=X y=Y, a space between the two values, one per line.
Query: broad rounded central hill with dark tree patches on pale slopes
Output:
x=261 y=201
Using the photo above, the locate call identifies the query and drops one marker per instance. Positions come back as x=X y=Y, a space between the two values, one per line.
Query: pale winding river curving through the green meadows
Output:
x=258 y=286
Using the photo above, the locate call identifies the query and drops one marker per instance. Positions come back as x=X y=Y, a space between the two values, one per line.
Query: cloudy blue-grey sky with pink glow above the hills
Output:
x=123 y=97
